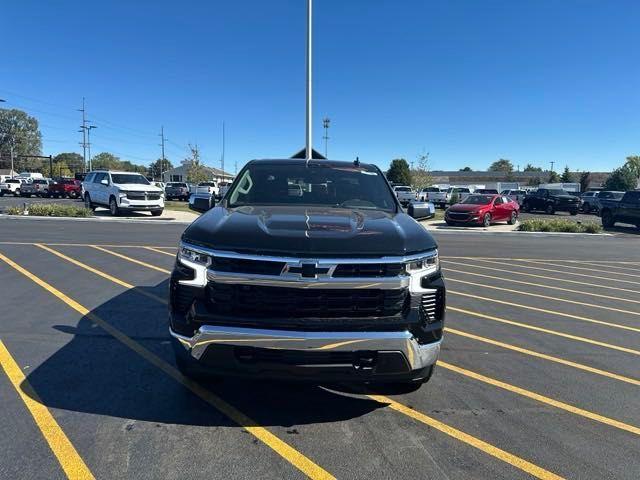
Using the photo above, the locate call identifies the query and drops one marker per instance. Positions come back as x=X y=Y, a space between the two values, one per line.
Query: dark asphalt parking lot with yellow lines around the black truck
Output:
x=538 y=377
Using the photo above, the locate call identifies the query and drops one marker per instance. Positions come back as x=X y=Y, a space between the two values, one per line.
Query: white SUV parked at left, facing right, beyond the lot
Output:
x=122 y=191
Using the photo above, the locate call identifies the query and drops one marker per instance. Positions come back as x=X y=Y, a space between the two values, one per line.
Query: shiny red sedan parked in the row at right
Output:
x=483 y=210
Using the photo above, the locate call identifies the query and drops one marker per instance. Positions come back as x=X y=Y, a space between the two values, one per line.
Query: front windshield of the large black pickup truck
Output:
x=346 y=186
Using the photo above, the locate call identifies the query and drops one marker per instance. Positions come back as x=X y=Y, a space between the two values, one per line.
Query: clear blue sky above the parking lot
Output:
x=467 y=81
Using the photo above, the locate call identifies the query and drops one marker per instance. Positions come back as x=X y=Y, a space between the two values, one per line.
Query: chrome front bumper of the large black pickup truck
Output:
x=416 y=355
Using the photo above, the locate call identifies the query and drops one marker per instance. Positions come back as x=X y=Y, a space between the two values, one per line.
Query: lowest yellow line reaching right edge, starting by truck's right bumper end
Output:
x=541 y=398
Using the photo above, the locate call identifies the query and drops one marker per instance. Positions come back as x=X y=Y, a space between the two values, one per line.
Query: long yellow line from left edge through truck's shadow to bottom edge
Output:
x=295 y=458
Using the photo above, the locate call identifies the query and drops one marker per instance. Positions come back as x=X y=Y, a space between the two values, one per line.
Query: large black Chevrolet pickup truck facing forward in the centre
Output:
x=311 y=271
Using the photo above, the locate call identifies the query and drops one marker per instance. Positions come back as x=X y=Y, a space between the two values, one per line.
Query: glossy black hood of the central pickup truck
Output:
x=309 y=231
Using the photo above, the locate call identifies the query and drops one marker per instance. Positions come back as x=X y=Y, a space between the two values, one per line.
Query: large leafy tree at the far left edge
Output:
x=21 y=131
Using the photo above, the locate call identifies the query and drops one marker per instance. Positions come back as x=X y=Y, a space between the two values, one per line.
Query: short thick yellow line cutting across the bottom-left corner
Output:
x=68 y=457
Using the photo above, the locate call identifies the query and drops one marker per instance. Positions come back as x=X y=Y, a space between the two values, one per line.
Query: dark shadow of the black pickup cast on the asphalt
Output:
x=95 y=373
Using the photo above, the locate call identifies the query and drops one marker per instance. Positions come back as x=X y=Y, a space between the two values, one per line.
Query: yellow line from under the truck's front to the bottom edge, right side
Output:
x=481 y=445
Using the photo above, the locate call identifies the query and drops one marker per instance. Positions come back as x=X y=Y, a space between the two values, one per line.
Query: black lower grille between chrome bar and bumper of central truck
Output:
x=258 y=301
